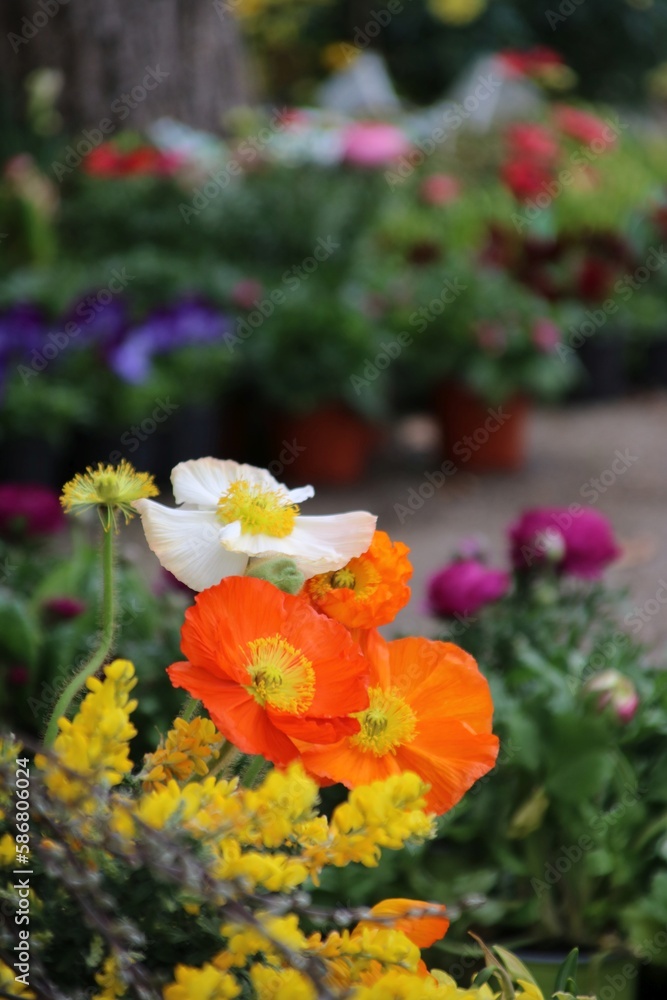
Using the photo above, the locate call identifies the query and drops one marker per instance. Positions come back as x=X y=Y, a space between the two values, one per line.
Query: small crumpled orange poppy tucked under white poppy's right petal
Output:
x=370 y=590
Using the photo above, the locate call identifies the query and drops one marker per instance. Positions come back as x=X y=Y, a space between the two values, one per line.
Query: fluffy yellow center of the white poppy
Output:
x=259 y=510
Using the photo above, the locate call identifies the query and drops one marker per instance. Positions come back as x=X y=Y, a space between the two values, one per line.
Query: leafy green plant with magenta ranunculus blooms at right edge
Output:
x=568 y=838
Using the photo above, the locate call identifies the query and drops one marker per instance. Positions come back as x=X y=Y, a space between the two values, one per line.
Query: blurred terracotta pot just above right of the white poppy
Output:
x=331 y=445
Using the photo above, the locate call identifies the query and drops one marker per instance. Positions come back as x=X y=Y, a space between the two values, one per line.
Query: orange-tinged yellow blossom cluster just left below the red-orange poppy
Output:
x=186 y=751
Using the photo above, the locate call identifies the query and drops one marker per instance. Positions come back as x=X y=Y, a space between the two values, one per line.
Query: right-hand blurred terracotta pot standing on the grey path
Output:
x=480 y=437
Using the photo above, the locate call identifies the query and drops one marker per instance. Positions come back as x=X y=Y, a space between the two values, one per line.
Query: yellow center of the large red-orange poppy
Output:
x=280 y=675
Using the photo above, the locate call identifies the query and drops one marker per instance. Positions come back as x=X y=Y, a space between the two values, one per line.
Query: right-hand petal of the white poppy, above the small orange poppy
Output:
x=317 y=544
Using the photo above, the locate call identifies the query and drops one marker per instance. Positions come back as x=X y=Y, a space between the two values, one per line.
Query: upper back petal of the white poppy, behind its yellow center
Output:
x=202 y=481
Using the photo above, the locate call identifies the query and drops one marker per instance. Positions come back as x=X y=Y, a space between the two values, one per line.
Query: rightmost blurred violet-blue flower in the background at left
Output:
x=187 y=322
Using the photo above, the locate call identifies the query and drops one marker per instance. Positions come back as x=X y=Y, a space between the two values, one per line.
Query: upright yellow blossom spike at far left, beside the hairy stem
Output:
x=93 y=750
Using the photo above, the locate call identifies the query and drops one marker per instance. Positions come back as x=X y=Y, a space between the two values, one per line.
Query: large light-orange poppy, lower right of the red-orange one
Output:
x=430 y=712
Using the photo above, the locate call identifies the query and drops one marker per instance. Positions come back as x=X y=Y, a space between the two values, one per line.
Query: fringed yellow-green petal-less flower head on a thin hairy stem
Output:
x=110 y=488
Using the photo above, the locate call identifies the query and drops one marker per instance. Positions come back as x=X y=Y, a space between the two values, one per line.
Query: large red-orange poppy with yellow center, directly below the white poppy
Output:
x=270 y=669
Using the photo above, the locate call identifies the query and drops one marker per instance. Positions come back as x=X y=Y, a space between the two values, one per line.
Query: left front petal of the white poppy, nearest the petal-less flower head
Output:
x=187 y=543
